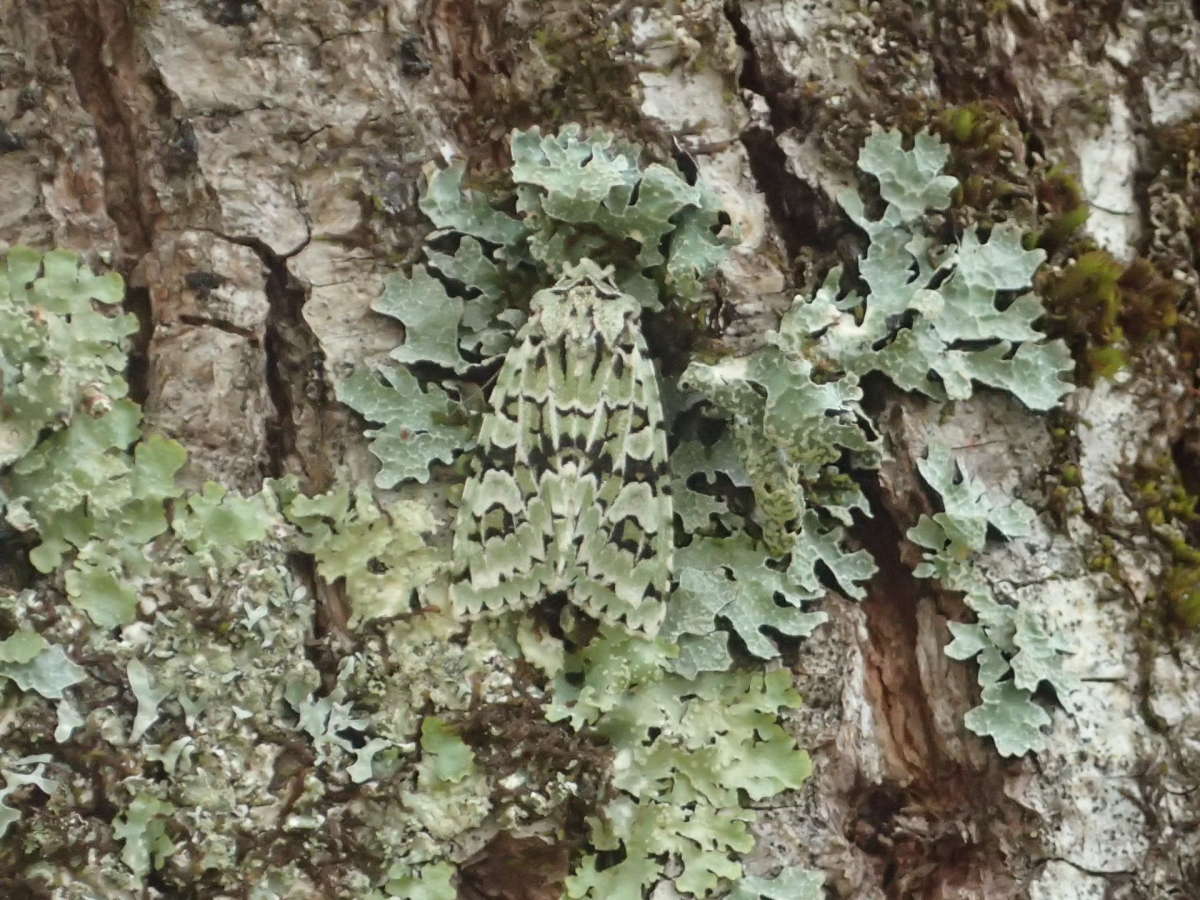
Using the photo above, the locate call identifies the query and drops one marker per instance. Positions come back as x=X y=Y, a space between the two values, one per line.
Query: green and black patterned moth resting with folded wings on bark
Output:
x=571 y=490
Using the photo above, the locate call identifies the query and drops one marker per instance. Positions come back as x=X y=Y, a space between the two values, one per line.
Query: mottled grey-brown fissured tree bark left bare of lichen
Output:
x=253 y=170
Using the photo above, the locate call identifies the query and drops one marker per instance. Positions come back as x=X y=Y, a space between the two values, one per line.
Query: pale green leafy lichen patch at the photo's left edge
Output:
x=67 y=429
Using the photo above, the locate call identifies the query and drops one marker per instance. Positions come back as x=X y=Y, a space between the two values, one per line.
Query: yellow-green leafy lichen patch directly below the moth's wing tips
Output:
x=687 y=749
